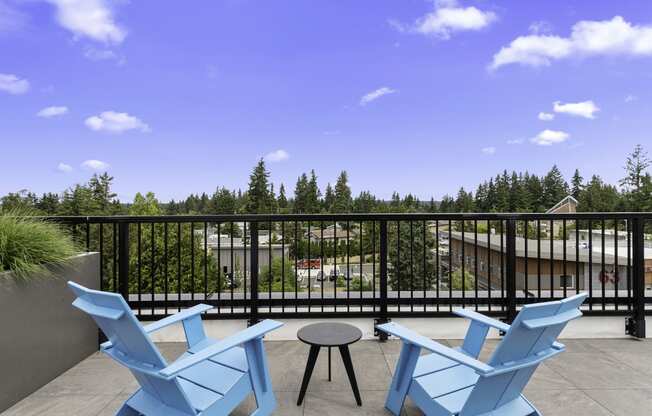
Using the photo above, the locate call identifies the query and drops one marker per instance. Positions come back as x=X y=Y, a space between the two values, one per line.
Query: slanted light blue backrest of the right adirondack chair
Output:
x=533 y=333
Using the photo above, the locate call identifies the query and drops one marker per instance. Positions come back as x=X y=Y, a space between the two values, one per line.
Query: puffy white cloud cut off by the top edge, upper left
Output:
x=92 y=19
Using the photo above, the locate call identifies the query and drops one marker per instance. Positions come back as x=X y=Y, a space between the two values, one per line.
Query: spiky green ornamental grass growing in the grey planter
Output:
x=29 y=244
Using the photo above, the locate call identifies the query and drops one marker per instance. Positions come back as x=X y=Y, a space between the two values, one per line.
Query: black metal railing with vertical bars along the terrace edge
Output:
x=373 y=265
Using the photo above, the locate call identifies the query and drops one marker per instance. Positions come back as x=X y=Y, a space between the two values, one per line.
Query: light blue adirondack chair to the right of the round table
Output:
x=451 y=381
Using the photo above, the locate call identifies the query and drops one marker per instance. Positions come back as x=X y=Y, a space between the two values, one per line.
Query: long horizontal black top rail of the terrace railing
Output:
x=353 y=217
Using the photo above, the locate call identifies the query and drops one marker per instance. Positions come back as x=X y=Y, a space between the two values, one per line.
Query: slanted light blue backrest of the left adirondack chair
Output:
x=130 y=342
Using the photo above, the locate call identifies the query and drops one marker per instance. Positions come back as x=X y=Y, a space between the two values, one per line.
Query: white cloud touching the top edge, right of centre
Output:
x=447 y=18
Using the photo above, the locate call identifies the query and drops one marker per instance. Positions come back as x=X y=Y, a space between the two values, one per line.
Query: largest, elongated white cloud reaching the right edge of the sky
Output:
x=588 y=38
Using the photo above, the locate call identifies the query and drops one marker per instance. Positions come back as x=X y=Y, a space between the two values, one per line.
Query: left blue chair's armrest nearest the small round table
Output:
x=242 y=337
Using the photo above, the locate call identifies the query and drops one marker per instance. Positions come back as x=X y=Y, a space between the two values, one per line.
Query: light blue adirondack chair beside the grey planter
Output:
x=210 y=379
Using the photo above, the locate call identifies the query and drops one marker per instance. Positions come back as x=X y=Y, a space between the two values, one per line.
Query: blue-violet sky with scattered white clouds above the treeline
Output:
x=407 y=95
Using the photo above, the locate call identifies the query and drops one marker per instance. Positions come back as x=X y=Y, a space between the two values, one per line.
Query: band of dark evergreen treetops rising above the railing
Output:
x=507 y=192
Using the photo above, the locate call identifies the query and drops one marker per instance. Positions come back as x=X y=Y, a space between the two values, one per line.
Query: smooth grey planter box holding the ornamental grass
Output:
x=41 y=334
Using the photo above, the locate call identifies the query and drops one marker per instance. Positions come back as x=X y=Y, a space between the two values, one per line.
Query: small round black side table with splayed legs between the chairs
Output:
x=329 y=334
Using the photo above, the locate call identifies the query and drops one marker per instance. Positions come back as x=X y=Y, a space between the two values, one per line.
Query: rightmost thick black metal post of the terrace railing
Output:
x=635 y=325
